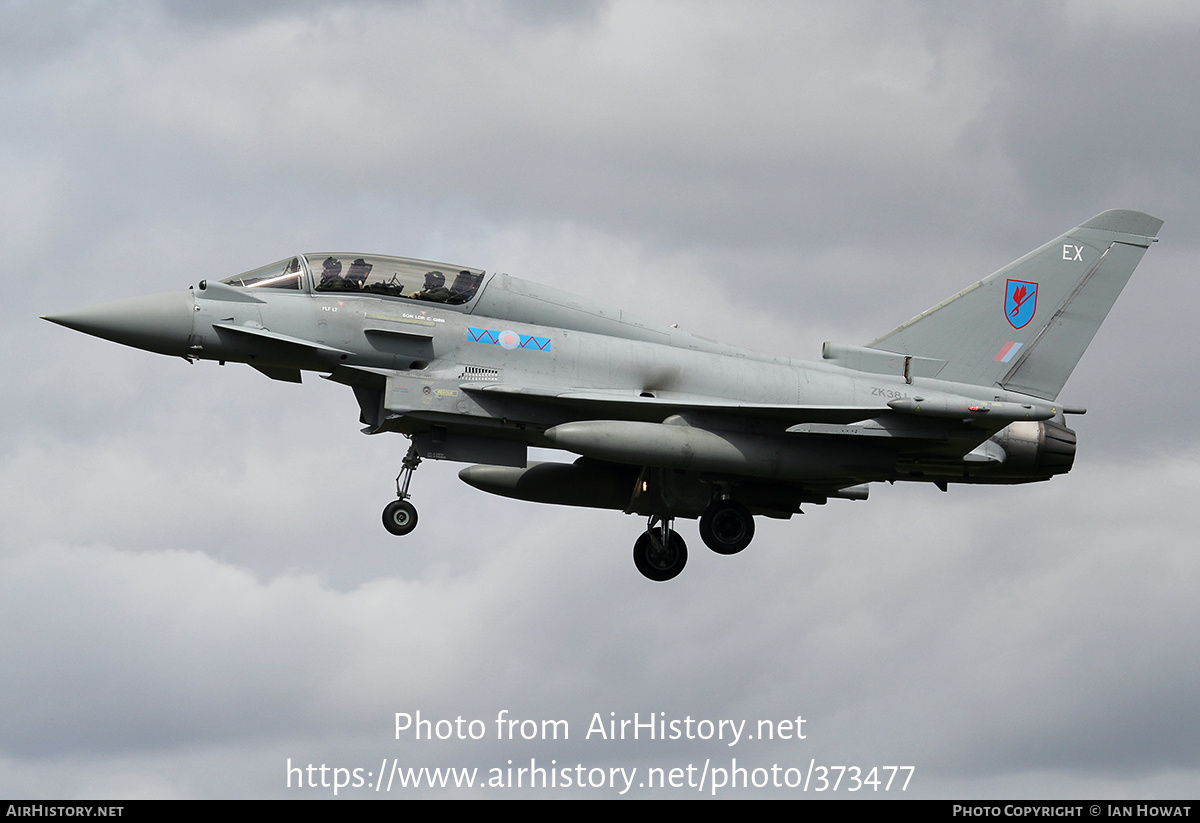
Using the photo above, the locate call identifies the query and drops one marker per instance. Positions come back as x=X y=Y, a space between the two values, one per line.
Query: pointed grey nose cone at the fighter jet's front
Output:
x=158 y=323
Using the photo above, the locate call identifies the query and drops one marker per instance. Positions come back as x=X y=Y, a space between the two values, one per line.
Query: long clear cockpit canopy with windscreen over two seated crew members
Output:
x=392 y=277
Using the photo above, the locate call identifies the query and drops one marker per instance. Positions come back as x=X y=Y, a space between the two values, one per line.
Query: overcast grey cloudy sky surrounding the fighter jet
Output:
x=195 y=586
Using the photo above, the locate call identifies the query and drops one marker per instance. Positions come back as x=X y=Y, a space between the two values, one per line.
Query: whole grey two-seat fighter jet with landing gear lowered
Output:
x=477 y=368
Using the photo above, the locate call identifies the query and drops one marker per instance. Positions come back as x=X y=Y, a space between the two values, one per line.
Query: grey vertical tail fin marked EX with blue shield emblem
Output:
x=1027 y=327
